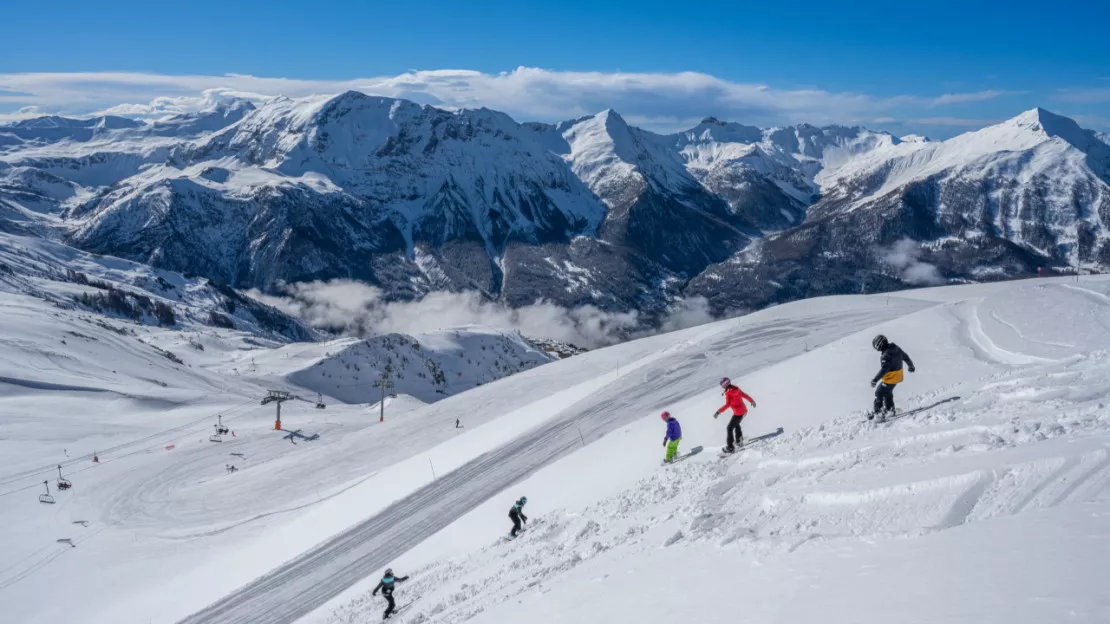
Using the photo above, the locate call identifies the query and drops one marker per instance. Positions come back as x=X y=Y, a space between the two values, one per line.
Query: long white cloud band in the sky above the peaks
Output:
x=662 y=102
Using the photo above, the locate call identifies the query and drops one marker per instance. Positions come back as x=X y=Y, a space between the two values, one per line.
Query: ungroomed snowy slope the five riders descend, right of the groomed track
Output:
x=988 y=500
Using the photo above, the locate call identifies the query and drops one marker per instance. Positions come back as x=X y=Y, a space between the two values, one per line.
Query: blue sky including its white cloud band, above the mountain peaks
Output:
x=936 y=68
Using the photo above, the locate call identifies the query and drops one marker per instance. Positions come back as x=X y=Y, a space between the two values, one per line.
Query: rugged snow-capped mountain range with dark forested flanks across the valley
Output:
x=415 y=199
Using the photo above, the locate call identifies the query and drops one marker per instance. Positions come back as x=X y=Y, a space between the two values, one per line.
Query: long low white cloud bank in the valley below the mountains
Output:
x=358 y=309
